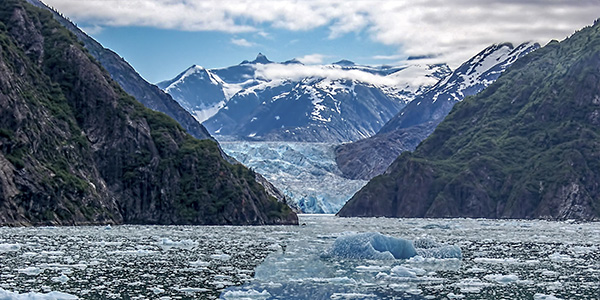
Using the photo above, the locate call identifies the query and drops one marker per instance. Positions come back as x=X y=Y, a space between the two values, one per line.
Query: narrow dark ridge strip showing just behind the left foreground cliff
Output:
x=149 y=95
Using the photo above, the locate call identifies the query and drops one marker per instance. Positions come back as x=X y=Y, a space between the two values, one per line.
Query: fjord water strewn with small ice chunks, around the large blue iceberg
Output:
x=500 y=260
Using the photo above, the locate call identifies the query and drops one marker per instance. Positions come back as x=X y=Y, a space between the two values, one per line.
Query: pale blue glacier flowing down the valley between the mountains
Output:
x=306 y=173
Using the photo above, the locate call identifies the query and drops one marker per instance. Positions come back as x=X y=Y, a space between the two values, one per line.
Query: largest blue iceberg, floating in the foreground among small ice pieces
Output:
x=374 y=245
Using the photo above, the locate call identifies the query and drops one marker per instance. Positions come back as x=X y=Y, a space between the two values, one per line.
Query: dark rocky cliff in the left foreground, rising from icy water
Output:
x=76 y=149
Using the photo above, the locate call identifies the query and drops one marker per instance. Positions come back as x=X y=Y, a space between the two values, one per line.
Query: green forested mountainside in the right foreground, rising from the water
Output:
x=528 y=146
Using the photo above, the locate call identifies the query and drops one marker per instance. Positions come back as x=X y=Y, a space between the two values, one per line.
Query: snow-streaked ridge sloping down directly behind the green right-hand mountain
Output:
x=367 y=158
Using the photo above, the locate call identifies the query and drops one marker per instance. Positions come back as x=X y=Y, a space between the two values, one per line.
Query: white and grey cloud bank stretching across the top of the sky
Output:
x=452 y=30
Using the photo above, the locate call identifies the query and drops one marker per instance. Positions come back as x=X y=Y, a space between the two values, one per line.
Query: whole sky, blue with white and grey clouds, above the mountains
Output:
x=161 y=38
